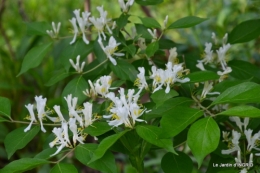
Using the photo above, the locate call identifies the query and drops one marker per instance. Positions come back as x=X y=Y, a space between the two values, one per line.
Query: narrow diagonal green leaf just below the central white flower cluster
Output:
x=105 y=145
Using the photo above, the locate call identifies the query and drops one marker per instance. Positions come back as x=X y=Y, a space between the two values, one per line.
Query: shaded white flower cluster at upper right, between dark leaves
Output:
x=221 y=57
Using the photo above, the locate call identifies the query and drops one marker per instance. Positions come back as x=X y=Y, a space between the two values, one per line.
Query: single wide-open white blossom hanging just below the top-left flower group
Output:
x=110 y=49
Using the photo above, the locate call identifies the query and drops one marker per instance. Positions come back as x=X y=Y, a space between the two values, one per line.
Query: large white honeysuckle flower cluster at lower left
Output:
x=81 y=117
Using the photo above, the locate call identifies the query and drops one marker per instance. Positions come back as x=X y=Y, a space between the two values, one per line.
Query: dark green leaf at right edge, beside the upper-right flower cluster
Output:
x=244 y=70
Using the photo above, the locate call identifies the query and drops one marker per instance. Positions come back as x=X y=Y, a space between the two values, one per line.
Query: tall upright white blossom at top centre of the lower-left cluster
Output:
x=72 y=102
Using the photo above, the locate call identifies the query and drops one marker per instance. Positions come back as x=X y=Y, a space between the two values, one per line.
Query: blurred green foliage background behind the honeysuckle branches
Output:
x=15 y=42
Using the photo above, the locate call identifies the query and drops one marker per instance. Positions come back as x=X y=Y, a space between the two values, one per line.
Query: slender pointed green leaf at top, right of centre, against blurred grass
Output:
x=186 y=22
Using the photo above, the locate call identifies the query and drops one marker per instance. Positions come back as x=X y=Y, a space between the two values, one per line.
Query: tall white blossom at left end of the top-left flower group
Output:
x=82 y=22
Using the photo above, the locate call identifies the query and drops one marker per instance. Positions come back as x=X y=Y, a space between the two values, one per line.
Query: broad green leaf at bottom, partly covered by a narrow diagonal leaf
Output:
x=85 y=152
